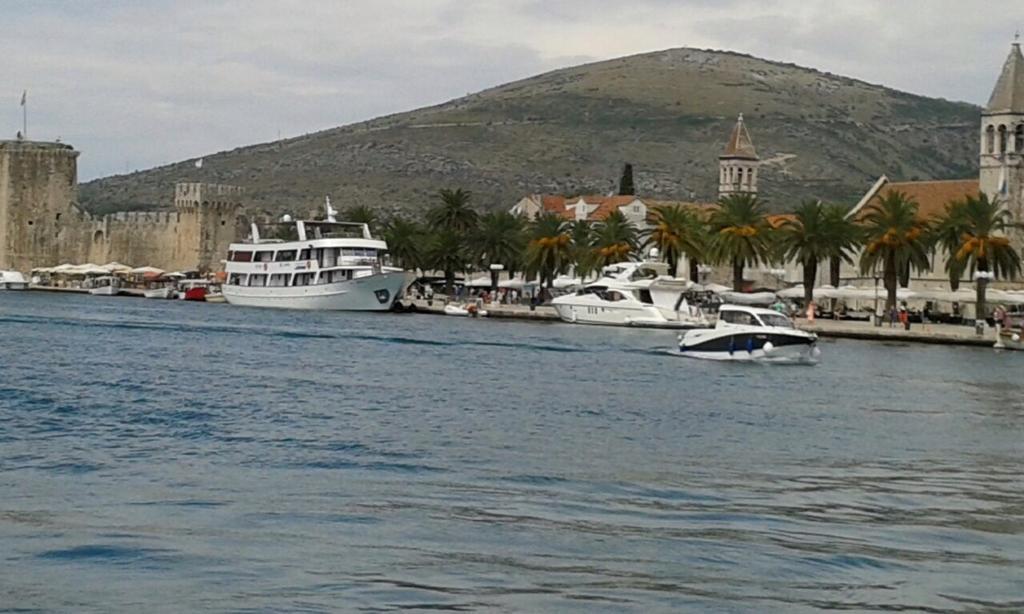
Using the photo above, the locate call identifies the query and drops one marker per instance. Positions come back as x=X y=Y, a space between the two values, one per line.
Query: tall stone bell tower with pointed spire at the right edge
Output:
x=1003 y=138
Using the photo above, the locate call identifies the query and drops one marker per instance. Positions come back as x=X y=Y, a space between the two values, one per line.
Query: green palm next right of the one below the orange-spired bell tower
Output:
x=812 y=236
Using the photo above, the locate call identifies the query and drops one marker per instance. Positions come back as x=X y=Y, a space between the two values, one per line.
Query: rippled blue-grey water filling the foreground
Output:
x=165 y=457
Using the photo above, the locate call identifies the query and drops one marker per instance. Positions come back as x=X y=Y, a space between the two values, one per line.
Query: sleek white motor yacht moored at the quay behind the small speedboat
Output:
x=632 y=294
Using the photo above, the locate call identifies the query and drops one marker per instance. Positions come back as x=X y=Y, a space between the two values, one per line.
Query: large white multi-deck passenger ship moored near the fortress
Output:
x=327 y=266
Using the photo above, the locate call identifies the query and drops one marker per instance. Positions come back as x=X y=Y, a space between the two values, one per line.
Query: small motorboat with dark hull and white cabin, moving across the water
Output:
x=751 y=334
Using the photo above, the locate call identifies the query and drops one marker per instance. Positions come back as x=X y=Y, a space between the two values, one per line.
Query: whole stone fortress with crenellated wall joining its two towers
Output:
x=41 y=224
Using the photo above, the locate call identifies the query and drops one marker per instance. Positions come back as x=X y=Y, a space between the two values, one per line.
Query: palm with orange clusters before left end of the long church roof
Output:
x=895 y=240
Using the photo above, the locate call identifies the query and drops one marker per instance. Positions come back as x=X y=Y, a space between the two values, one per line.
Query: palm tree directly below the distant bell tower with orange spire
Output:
x=741 y=235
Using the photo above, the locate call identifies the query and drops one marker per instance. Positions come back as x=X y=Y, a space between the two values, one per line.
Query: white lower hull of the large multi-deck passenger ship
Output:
x=373 y=293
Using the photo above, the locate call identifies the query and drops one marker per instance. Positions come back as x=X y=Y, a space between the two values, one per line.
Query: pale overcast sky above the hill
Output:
x=138 y=84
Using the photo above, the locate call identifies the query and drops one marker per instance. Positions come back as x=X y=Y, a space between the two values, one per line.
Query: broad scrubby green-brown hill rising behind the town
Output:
x=570 y=131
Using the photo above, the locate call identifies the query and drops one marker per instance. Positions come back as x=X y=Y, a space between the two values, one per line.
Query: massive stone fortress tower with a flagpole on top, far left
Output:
x=38 y=189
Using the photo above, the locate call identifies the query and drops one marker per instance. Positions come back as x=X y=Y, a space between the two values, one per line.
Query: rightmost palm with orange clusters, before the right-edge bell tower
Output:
x=973 y=233
